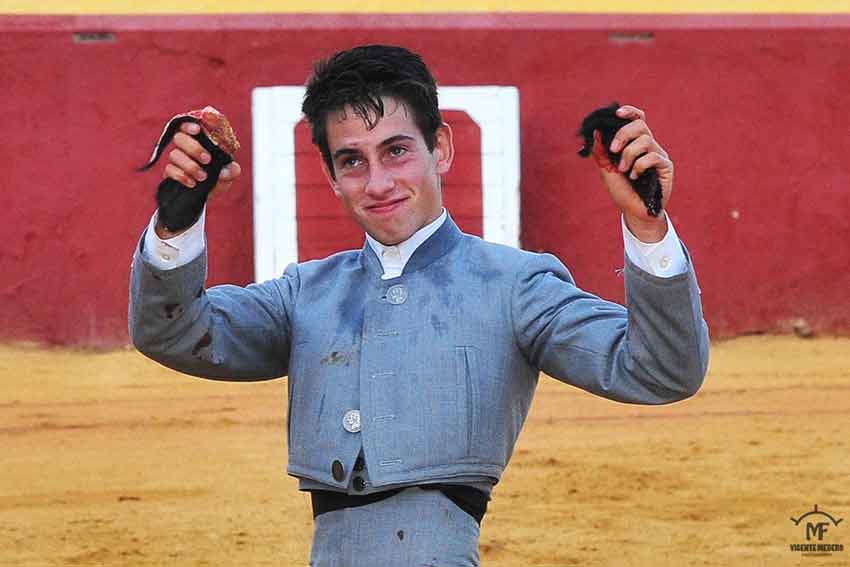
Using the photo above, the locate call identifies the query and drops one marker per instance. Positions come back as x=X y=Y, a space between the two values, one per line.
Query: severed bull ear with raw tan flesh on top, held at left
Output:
x=180 y=206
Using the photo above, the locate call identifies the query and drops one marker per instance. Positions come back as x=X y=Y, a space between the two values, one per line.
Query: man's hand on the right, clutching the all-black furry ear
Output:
x=640 y=151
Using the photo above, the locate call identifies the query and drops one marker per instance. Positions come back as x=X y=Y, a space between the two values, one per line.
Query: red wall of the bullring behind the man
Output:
x=753 y=111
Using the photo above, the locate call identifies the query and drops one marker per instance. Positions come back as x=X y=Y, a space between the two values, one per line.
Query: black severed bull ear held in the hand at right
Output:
x=606 y=121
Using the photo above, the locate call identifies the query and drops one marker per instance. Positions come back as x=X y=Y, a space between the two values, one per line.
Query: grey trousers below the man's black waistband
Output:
x=414 y=528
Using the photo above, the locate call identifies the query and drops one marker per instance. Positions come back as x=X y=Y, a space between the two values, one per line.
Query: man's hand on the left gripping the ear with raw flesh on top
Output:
x=186 y=159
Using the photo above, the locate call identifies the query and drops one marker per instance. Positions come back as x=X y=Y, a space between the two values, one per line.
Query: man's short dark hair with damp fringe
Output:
x=358 y=78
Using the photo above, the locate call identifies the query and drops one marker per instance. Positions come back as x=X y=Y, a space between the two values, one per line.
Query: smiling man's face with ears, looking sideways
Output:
x=386 y=178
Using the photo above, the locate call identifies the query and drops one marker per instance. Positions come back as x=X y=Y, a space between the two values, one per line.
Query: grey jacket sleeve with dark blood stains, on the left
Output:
x=226 y=332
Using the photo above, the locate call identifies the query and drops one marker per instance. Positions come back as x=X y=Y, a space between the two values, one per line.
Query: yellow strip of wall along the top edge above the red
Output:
x=422 y=6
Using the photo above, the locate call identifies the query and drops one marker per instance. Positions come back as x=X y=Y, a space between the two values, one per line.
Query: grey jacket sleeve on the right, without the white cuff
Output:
x=653 y=351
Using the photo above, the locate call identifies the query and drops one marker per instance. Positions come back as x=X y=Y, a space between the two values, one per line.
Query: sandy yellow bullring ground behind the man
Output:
x=110 y=459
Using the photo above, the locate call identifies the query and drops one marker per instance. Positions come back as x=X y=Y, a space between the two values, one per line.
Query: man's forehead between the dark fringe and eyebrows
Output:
x=346 y=129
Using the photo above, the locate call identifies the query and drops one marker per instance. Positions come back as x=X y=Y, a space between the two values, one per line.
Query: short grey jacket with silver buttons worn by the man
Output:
x=442 y=362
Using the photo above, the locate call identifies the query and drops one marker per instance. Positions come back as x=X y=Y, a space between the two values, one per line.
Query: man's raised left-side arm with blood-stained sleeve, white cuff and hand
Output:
x=225 y=332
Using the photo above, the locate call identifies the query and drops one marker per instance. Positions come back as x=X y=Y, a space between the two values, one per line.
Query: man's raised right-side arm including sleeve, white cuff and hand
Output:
x=653 y=351
